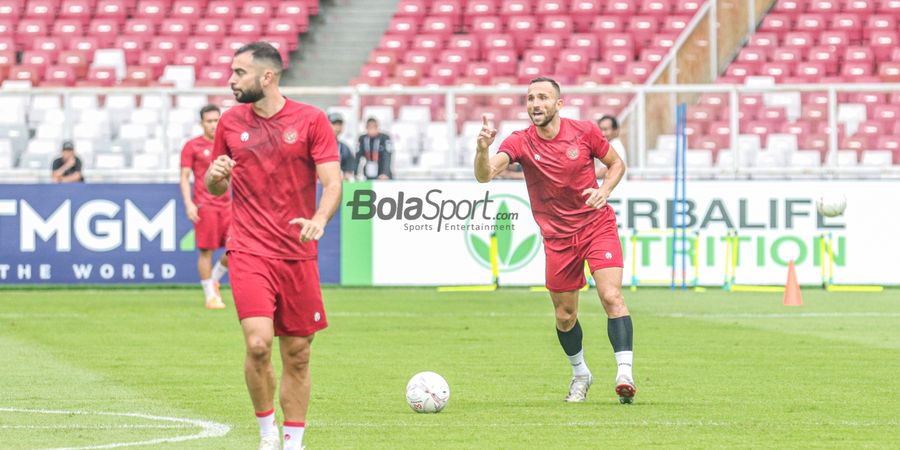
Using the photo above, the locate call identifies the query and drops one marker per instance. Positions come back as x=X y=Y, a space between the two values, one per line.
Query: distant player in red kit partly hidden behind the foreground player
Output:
x=210 y=214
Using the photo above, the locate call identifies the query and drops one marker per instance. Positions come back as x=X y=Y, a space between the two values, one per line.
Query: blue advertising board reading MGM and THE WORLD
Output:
x=114 y=233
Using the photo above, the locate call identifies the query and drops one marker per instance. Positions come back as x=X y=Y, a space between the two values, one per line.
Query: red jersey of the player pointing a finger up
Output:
x=557 y=171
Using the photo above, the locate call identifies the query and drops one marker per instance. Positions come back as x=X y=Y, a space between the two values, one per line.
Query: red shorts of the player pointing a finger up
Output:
x=598 y=244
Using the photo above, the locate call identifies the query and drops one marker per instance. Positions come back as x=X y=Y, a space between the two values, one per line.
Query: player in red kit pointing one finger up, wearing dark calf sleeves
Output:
x=557 y=158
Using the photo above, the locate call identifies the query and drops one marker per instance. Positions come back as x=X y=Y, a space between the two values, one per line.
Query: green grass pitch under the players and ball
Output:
x=713 y=370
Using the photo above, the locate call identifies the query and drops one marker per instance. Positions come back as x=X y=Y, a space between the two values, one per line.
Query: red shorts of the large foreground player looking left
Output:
x=287 y=291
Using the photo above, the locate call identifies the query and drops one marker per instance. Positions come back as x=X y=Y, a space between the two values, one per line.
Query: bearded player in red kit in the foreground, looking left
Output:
x=270 y=150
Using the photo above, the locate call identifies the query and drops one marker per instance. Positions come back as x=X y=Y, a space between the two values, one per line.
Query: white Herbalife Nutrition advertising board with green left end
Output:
x=439 y=233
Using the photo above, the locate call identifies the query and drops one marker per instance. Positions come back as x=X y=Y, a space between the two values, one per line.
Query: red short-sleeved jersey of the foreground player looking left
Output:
x=274 y=177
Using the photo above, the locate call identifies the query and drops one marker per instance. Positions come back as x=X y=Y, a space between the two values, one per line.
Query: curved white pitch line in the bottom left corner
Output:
x=208 y=429
